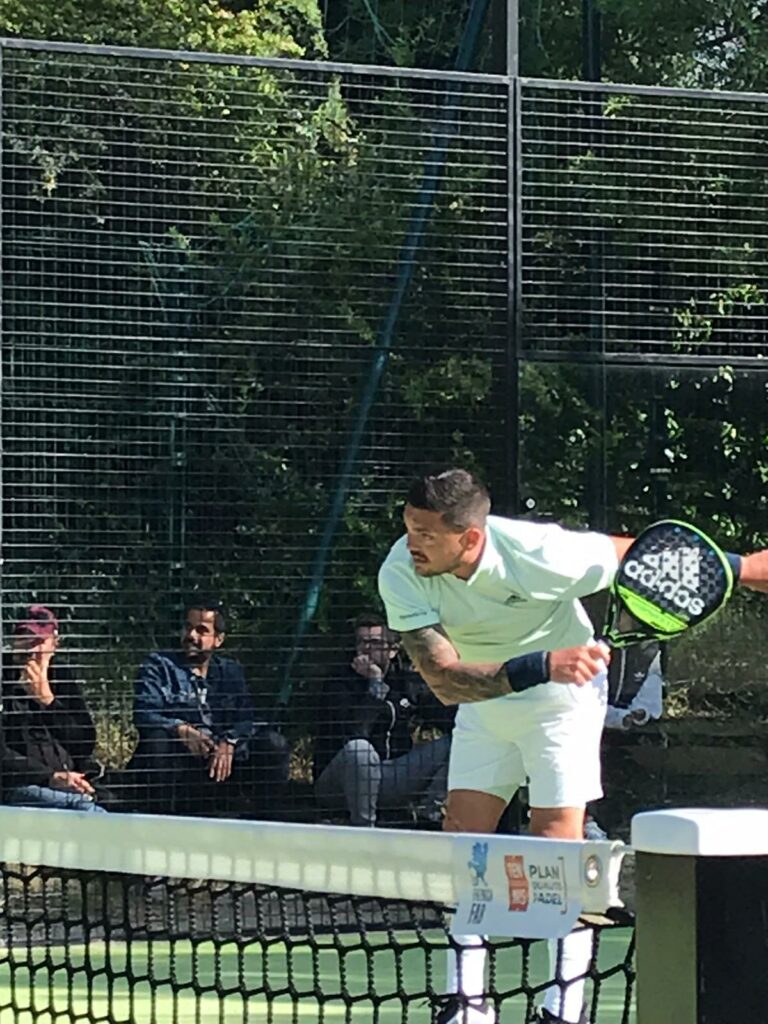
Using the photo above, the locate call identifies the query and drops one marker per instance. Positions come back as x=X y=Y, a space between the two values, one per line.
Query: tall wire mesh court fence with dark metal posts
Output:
x=244 y=301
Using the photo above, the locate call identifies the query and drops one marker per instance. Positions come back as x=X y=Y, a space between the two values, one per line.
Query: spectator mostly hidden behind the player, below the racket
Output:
x=635 y=699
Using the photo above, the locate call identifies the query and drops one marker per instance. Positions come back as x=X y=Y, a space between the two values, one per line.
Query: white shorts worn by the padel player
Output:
x=548 y=737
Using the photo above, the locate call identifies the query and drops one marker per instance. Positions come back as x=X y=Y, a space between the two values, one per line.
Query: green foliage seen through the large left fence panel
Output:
x=224 y=243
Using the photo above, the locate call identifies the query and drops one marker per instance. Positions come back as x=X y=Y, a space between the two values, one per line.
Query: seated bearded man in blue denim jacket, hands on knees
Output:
x=201 y=748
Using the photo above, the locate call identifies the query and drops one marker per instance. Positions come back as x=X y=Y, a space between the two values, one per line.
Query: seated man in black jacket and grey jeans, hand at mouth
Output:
x=365 y=758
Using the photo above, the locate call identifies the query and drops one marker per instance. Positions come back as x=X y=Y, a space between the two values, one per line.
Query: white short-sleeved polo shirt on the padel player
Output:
x=524 y=596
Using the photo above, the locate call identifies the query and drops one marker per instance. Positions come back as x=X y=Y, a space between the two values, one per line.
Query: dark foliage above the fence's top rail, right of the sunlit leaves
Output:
x=711 y=44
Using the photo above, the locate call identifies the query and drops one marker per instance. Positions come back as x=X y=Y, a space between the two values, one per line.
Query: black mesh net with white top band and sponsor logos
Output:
x=123 y=919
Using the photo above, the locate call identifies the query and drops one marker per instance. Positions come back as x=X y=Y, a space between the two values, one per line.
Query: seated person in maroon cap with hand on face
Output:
x=48 y=732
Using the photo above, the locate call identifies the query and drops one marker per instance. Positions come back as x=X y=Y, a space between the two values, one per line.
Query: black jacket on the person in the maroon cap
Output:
x=39 y=741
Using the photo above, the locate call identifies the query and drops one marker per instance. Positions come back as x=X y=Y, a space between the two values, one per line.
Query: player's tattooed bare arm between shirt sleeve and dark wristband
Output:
x=452 y=680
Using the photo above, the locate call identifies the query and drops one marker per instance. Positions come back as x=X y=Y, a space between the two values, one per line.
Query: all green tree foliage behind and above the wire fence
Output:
x=239 y=316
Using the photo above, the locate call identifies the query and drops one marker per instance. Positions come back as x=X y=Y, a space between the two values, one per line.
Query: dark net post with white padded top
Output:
x=702 y=900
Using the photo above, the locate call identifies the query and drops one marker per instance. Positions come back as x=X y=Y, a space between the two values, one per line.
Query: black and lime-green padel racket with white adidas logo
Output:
x=672 y=578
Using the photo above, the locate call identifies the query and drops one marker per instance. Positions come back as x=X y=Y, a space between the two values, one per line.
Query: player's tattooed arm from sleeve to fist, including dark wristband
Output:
x=454 y=681
